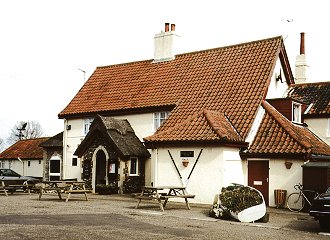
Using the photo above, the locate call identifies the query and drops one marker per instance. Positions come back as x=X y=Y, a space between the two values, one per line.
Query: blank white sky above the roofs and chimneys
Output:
x=49 y=48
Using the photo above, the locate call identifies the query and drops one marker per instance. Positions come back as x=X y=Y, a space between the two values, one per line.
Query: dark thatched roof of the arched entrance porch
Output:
x=118 y=134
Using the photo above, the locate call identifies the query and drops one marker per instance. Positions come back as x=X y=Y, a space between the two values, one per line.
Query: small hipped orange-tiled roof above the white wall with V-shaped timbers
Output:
x=204 y=126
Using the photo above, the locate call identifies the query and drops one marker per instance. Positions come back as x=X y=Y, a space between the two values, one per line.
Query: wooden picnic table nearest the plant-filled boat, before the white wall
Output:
x=163 y=193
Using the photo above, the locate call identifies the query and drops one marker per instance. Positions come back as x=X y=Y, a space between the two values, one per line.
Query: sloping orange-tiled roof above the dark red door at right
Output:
x=277 y=135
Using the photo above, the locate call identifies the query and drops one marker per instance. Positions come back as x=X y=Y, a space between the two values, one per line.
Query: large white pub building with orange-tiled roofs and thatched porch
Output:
x=213 y=108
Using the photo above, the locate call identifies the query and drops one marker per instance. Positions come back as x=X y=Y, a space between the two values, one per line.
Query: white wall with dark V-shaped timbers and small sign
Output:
x=208 y=176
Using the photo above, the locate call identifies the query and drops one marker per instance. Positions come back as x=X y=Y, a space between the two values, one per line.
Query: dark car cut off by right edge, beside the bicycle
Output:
x=320 y=210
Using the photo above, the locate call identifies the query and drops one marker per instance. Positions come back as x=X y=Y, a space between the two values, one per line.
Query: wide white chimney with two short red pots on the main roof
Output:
x=165 y=44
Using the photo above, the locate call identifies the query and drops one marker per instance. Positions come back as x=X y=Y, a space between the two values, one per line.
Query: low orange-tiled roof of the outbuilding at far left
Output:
x=28 y=149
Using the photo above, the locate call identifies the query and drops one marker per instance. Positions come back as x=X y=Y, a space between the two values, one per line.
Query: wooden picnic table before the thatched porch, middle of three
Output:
x=63 y=186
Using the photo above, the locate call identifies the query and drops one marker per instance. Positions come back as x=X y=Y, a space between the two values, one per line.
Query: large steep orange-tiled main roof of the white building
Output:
x=229 y=81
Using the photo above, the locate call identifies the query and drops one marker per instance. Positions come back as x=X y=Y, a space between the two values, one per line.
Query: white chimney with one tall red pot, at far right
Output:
x=301 y=65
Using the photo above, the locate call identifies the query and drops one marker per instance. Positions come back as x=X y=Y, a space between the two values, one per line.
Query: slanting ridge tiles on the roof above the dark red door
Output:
x=271 y=110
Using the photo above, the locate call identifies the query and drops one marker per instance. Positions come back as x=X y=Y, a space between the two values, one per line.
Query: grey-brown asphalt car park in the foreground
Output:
x=23 y=216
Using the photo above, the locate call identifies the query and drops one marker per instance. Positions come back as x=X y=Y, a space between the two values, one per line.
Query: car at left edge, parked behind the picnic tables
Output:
x=11 y=177
